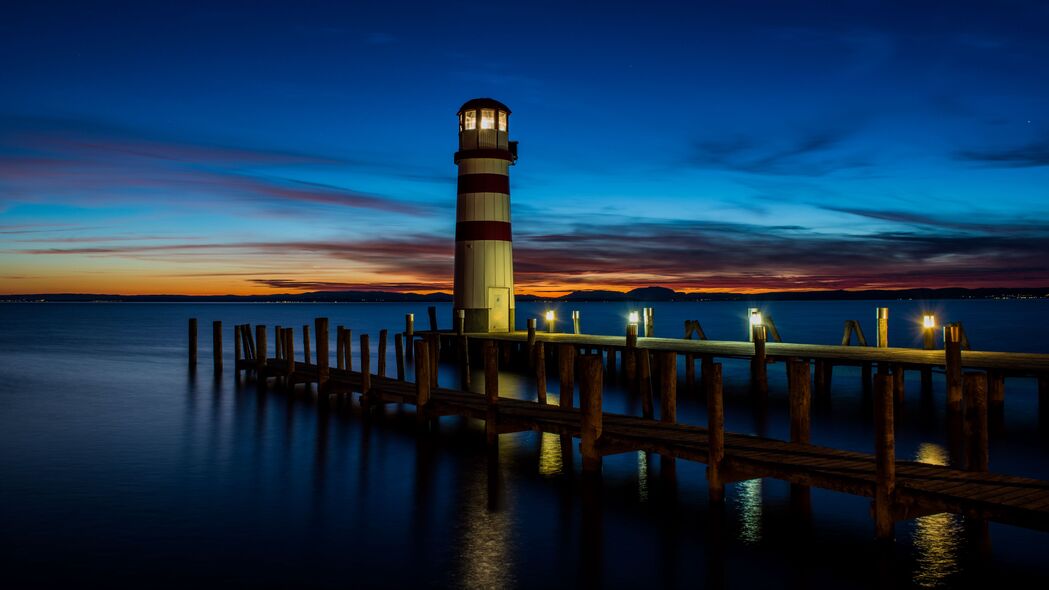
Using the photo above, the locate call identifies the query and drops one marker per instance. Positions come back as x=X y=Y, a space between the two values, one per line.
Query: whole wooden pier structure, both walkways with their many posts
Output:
x=900 y=490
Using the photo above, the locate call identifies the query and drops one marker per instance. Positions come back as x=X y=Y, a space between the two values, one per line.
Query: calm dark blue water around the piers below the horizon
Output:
x=118 y=468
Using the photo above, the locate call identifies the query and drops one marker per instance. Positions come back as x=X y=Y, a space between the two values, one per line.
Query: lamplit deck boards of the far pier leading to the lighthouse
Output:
x=1014 y=363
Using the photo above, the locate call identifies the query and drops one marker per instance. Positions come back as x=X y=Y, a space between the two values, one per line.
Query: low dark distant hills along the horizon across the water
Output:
x=641 y=294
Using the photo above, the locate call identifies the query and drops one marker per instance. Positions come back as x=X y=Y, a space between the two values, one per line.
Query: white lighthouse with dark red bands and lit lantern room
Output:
x=484 y=256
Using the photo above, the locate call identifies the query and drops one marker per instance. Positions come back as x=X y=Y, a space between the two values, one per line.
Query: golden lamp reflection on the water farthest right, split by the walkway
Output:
x=938 y=538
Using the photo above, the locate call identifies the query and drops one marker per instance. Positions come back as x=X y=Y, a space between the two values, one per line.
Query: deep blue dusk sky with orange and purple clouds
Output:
x=276 y=147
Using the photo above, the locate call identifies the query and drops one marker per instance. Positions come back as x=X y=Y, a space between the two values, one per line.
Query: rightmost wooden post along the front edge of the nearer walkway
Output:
x=885 y=451
